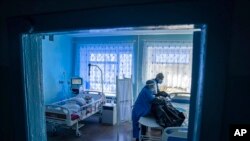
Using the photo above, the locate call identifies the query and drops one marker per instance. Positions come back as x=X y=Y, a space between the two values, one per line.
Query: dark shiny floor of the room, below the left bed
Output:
x=94 y=131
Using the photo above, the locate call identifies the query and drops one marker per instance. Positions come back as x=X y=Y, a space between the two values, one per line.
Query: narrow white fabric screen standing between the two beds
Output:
x=124 y=99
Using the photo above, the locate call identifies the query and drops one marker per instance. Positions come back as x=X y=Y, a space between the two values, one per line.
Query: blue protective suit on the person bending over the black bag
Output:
x=141 y=107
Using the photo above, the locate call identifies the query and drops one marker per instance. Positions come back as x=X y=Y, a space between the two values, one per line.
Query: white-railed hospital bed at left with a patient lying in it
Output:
x=68 y=113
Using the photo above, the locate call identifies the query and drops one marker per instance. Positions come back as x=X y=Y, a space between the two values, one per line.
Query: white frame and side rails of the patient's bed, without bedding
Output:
x=56 y=115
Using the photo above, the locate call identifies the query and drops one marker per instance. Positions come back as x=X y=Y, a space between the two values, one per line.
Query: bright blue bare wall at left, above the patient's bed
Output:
x=57 y=68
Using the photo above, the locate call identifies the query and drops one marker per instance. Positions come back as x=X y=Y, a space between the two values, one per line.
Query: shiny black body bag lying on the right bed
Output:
x=166 y=114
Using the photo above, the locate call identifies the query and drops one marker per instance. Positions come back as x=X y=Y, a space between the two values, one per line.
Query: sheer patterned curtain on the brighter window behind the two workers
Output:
x=173 y=59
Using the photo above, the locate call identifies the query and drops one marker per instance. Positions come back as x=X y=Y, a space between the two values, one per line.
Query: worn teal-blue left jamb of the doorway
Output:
x=32 y=62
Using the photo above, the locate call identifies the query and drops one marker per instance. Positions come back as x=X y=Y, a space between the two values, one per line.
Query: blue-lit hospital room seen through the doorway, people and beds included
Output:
x=116 y=84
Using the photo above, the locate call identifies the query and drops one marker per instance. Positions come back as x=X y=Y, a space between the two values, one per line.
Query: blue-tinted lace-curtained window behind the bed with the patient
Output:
x=114 y=59
